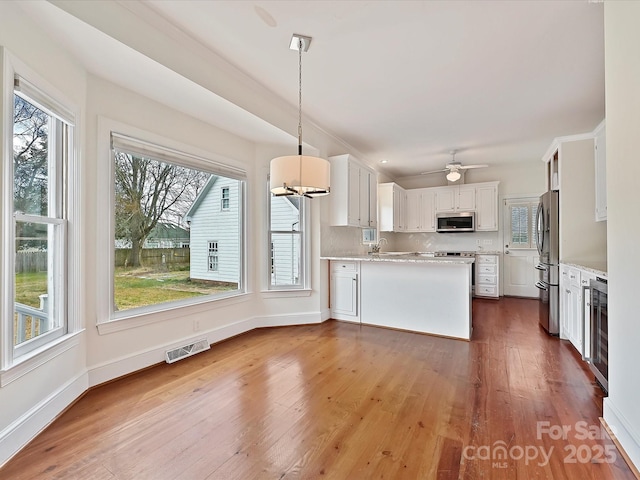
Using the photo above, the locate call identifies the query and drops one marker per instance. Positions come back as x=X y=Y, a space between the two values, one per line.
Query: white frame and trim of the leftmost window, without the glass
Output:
x=18 y=360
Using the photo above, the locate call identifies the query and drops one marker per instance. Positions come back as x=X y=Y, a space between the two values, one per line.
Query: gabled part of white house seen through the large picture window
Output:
x=215 y=231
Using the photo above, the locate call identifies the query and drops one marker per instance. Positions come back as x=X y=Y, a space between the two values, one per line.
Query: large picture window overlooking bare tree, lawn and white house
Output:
x=166 y=210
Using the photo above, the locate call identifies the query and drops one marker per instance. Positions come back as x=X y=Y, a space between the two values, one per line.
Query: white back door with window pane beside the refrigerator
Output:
x=520 y=253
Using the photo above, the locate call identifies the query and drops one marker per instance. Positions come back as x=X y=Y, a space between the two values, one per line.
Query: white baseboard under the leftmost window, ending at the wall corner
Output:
x=31 y=423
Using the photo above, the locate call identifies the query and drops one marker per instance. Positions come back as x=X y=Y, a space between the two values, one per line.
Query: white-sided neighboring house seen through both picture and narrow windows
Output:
x=215 y=236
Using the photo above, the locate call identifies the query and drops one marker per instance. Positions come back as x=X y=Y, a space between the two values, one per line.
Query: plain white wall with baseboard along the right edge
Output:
x=622 y=77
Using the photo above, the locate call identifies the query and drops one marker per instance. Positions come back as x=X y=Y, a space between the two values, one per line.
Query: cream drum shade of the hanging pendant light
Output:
x=299 y=175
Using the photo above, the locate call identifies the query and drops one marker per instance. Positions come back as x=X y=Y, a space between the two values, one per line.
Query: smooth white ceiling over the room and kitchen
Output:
x=408 y=81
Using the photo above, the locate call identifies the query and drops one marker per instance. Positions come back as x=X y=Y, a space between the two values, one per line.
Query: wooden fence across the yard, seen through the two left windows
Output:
x=37 y=261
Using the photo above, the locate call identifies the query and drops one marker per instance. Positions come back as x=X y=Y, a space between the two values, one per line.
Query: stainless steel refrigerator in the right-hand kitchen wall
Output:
x=548 y=242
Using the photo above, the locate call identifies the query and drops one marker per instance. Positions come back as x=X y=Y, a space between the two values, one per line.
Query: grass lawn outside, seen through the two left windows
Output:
x=133 y=287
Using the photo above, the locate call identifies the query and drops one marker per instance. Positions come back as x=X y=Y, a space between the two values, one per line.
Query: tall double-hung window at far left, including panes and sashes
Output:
x=35 y=206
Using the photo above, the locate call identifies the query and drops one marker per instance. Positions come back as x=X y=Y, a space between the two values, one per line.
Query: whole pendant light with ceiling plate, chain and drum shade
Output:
x=299 y=174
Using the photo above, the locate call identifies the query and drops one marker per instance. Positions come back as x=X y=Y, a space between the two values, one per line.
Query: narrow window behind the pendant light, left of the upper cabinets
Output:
x=287 y=242
